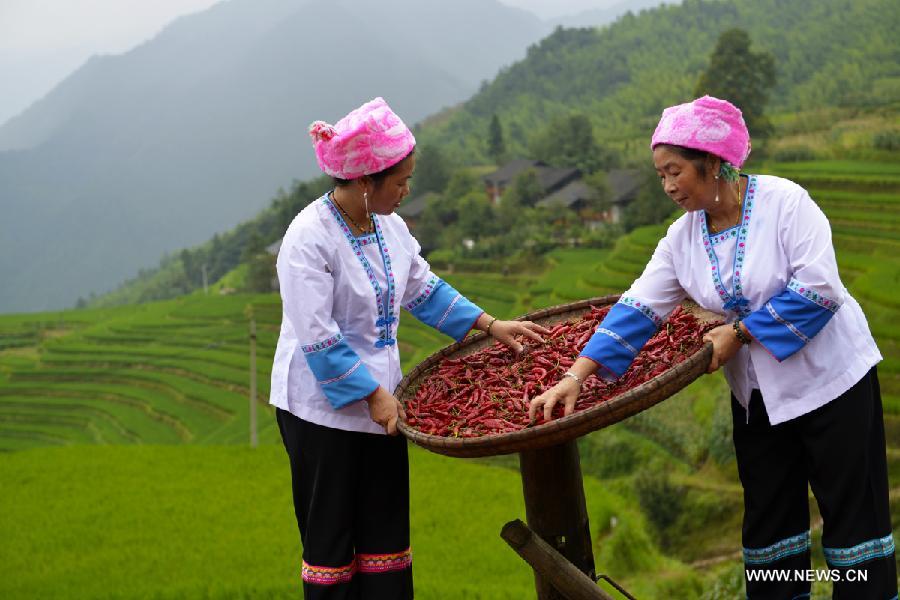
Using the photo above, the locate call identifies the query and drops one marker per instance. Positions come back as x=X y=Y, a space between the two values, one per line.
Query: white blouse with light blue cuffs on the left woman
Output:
x=341 y=298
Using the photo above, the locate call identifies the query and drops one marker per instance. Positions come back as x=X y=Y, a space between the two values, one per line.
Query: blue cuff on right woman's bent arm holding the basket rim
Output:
x=788 y=321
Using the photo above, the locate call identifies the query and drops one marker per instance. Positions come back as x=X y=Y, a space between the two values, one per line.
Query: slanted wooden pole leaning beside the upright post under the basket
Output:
x=553 y=567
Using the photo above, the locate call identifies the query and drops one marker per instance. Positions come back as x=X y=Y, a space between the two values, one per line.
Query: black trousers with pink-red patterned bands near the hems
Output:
x=351 y=498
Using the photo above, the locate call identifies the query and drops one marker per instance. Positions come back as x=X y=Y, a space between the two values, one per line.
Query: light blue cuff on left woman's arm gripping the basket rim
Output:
x=340 y=371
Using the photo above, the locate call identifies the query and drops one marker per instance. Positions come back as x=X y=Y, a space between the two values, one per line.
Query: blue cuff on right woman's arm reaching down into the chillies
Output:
x=619 y=338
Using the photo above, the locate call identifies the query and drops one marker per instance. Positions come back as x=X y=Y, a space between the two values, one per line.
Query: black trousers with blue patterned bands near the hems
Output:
x=838 y=450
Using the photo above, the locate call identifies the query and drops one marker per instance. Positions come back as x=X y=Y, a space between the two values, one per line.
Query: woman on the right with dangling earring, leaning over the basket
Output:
x=797 y=354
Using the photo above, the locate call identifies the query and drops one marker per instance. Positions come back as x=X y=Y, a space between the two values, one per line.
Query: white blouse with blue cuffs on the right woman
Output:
x=777 y=272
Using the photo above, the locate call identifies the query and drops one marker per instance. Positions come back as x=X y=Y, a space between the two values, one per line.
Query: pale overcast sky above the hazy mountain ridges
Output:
x=43 y=41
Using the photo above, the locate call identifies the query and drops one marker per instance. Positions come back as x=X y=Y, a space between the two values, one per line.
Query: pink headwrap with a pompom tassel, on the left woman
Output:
x=368 y=140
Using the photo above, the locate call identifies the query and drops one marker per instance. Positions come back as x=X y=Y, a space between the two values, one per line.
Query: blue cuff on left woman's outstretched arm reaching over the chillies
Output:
x=442 y=307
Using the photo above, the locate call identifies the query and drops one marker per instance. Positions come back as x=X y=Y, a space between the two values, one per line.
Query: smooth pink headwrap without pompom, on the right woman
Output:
x=707 y=124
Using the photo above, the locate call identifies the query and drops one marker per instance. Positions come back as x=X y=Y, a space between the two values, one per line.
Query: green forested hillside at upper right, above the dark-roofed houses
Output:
x=828 y=54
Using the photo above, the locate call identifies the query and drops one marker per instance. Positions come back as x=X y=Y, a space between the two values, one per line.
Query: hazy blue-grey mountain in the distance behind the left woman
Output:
x=137 y=154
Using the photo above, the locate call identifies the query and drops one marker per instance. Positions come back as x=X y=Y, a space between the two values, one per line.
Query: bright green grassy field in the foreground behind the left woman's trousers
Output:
x=217 y=522
